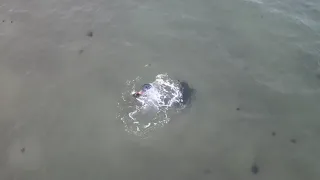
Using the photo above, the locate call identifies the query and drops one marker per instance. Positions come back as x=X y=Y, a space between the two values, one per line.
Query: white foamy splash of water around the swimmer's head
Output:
x=154 y=108
